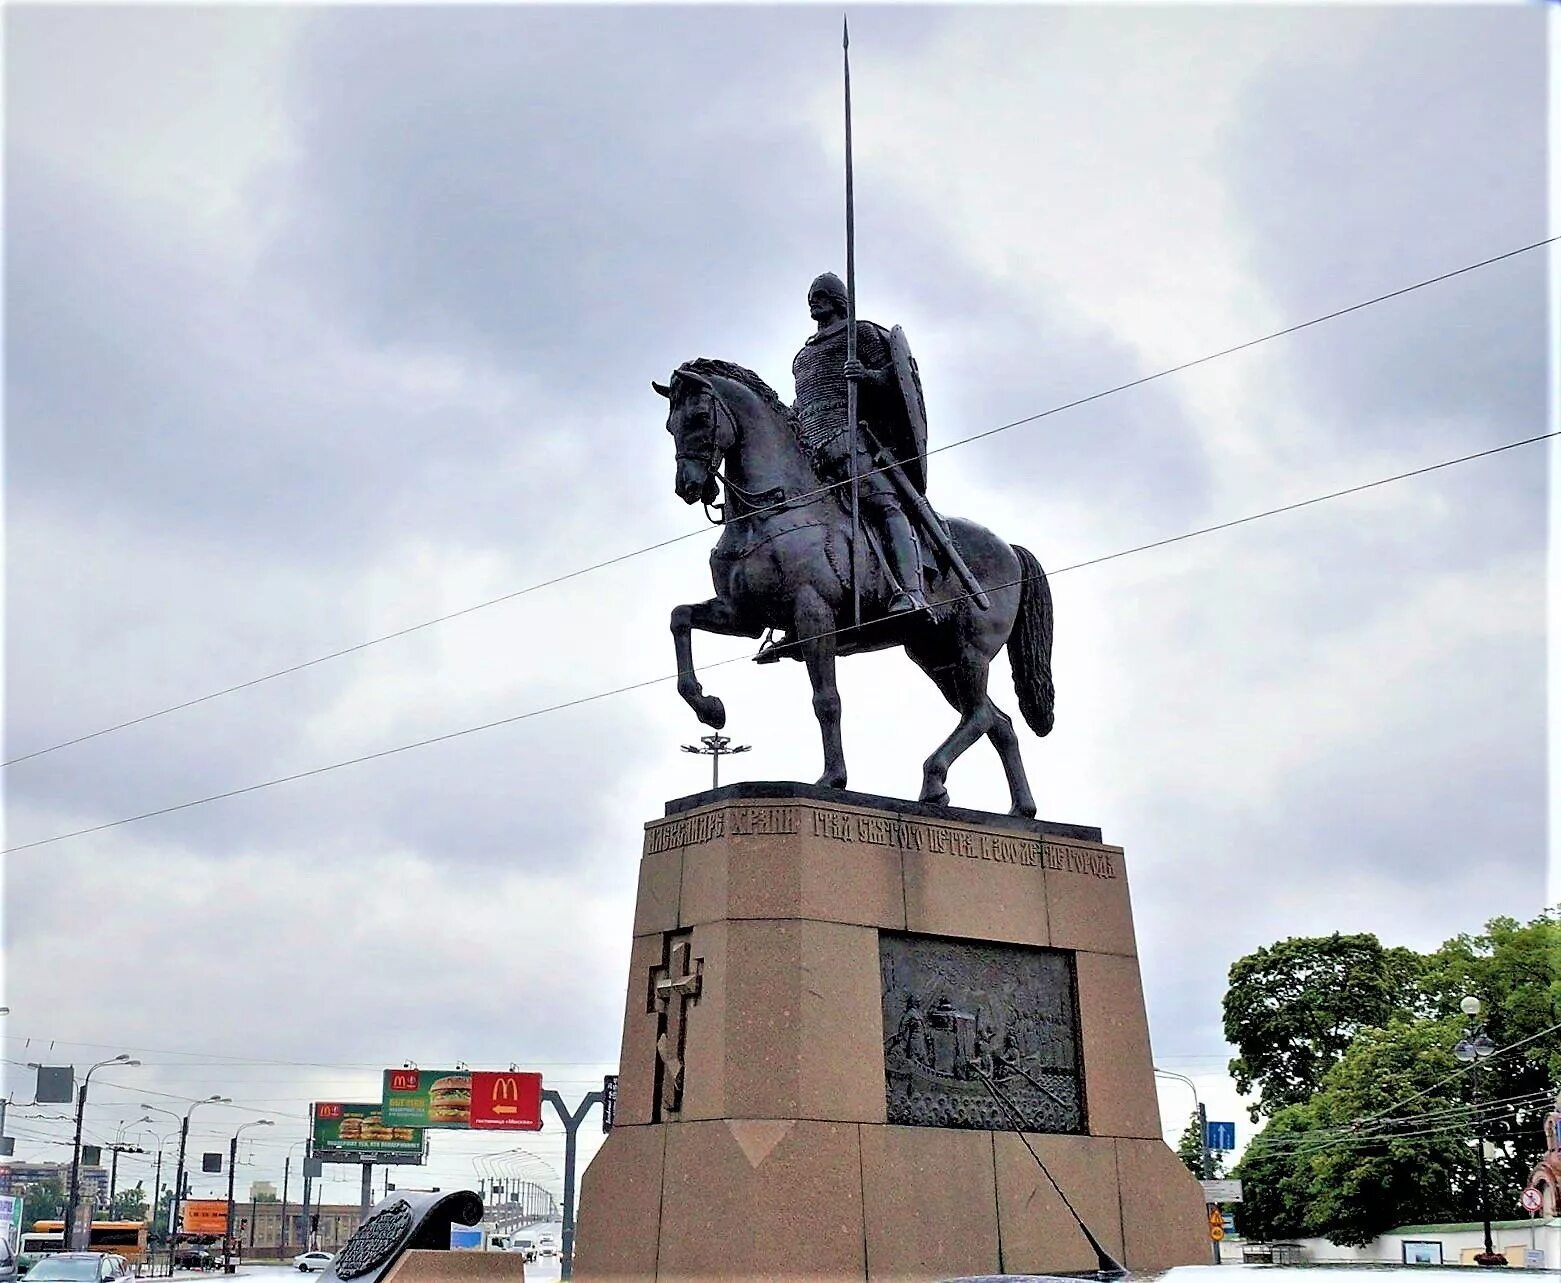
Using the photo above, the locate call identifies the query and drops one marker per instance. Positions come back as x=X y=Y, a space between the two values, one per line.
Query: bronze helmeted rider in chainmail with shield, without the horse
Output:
x=820 y=372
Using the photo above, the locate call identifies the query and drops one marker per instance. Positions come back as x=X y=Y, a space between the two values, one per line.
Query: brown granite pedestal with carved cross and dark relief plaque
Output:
x=766 y=970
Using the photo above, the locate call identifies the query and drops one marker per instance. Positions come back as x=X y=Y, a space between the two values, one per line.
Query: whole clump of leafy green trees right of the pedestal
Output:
x=1371 y=1120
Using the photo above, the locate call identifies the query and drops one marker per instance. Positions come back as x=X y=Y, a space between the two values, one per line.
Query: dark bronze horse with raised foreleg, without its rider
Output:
x=784 y=563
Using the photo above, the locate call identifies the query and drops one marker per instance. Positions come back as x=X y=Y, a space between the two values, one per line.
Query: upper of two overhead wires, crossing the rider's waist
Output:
x=656 y=547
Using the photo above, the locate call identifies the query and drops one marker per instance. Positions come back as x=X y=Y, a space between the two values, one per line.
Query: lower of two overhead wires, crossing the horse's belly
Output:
x=647 y=683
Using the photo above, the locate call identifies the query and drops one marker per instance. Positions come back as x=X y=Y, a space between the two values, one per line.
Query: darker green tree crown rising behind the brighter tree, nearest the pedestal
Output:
x=1293 y=1009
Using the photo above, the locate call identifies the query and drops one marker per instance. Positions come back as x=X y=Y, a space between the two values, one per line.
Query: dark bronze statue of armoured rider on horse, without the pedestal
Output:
x=830 y=546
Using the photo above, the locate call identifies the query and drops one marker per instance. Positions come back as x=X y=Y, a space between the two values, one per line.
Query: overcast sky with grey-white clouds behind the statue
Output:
x=325 y=322
